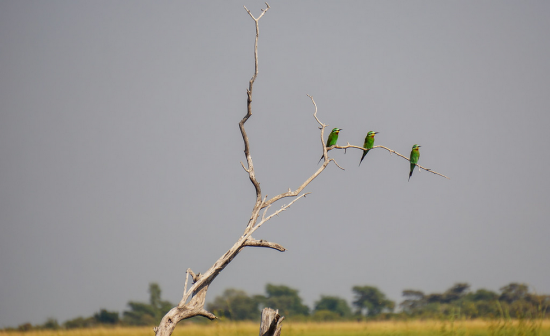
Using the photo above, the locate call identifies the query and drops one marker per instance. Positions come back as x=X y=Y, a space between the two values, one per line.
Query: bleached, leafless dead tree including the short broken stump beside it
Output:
x=193 y=300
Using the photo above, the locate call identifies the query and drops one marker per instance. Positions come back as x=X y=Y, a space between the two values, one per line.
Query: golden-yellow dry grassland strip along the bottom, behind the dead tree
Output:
x=385 y=328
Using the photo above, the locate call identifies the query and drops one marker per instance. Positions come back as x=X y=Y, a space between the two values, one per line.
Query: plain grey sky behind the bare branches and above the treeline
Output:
x=120 y=148
